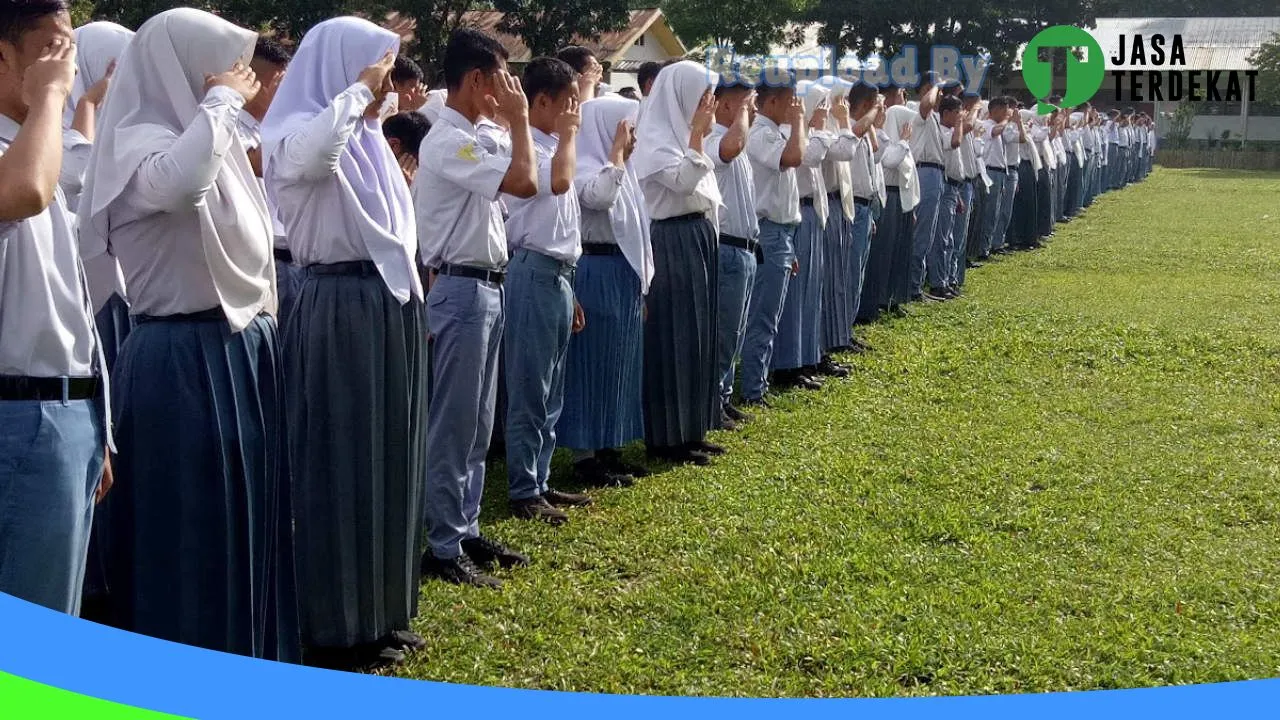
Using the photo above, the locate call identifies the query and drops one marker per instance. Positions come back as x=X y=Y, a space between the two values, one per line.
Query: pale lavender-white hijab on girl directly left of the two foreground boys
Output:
x=328 y=62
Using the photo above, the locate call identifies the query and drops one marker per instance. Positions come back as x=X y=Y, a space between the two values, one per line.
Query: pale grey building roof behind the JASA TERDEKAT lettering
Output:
x=1210 y=44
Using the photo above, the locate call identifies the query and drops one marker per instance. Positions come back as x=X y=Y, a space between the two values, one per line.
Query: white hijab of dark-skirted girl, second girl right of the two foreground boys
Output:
x=666 y=121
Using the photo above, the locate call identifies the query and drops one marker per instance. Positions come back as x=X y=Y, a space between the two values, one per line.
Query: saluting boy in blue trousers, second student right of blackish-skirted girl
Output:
x=776 y=145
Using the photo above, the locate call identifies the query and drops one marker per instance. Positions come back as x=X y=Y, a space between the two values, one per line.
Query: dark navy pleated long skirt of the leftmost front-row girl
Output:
x=202 y=532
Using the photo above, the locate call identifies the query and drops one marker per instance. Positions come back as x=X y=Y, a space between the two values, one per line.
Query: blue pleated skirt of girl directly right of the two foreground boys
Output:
x=606 y=361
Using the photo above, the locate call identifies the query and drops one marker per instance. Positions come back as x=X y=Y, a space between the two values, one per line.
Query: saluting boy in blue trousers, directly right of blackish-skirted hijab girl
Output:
x=739 y=236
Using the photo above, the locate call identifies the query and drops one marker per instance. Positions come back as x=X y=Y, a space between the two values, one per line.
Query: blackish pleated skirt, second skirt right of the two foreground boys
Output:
x=682 y=391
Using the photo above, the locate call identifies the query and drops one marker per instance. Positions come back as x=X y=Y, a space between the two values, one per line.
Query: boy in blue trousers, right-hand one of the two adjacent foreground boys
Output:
x=545 y=240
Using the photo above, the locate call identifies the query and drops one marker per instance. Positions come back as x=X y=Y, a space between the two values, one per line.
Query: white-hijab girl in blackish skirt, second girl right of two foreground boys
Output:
x=682 y=391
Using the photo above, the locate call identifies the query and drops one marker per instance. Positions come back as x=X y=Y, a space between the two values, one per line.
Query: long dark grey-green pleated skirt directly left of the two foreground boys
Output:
x=356 y=394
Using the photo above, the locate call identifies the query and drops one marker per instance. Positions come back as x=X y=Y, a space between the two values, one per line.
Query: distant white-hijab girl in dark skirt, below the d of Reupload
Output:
x=903 y=189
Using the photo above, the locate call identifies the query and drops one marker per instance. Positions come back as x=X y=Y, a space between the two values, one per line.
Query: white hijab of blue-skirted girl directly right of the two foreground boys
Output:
x=628 y=216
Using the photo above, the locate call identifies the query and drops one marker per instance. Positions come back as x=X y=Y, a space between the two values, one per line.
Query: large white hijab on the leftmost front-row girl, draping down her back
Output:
x=158 y=89
